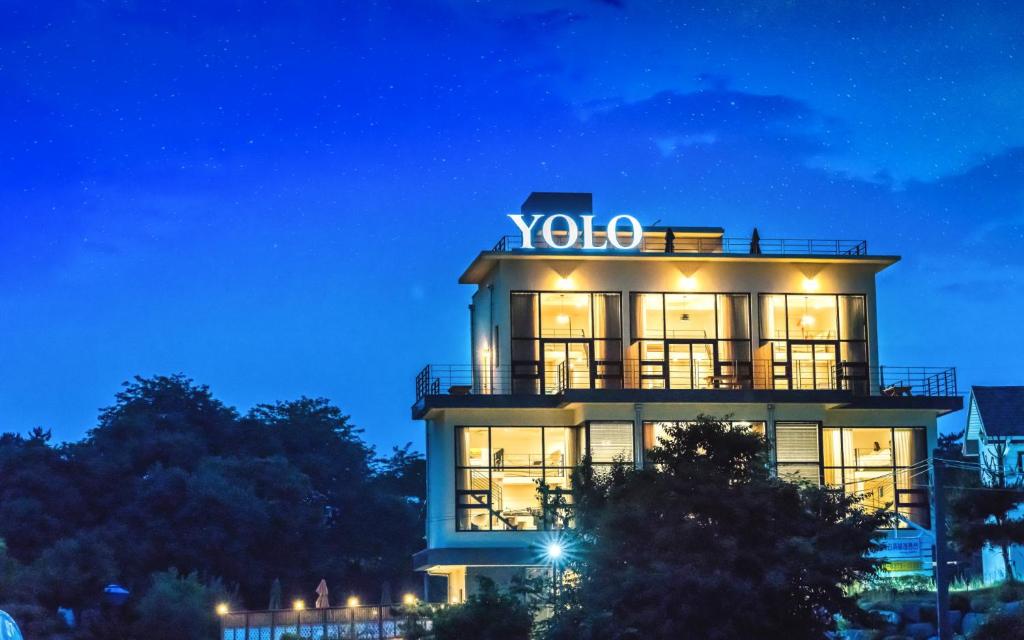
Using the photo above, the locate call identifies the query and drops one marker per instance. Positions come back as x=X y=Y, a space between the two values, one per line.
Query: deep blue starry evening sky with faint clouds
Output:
x=277 y=199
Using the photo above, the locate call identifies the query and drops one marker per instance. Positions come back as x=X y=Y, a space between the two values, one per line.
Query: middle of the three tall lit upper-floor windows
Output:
x=692 y=340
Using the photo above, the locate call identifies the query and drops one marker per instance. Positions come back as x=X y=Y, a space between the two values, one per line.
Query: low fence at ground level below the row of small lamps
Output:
x=350 y=623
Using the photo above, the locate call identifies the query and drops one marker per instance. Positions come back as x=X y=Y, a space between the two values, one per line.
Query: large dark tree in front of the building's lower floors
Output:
x=705 y=544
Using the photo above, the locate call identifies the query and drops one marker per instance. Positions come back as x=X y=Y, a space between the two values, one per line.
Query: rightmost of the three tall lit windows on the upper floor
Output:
x=816 y=342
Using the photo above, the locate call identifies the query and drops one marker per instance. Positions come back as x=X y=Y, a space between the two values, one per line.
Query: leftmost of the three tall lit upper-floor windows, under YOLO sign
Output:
x=567 y=340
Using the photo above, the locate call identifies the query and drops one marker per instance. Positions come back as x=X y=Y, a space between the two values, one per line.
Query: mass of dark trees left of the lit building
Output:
x=172 y=479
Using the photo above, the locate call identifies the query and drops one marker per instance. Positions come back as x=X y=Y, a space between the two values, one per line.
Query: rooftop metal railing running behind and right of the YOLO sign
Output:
x=661 y=243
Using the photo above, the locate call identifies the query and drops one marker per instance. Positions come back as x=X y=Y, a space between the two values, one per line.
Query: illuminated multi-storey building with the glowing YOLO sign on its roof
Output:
x=587 y=339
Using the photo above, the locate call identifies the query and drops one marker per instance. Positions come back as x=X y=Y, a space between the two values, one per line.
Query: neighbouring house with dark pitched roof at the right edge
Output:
x=995 y=435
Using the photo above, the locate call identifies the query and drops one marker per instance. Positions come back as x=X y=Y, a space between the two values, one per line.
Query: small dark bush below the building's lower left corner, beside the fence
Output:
x=488 y=615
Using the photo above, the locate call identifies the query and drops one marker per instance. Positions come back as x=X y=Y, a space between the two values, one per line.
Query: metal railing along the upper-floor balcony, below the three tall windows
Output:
x=533 y=379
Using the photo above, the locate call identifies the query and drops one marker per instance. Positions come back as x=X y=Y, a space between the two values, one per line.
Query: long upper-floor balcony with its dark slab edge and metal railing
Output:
x=760 y=381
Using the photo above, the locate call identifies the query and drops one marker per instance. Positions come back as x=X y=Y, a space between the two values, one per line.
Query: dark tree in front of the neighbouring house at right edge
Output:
x=983 y=510
